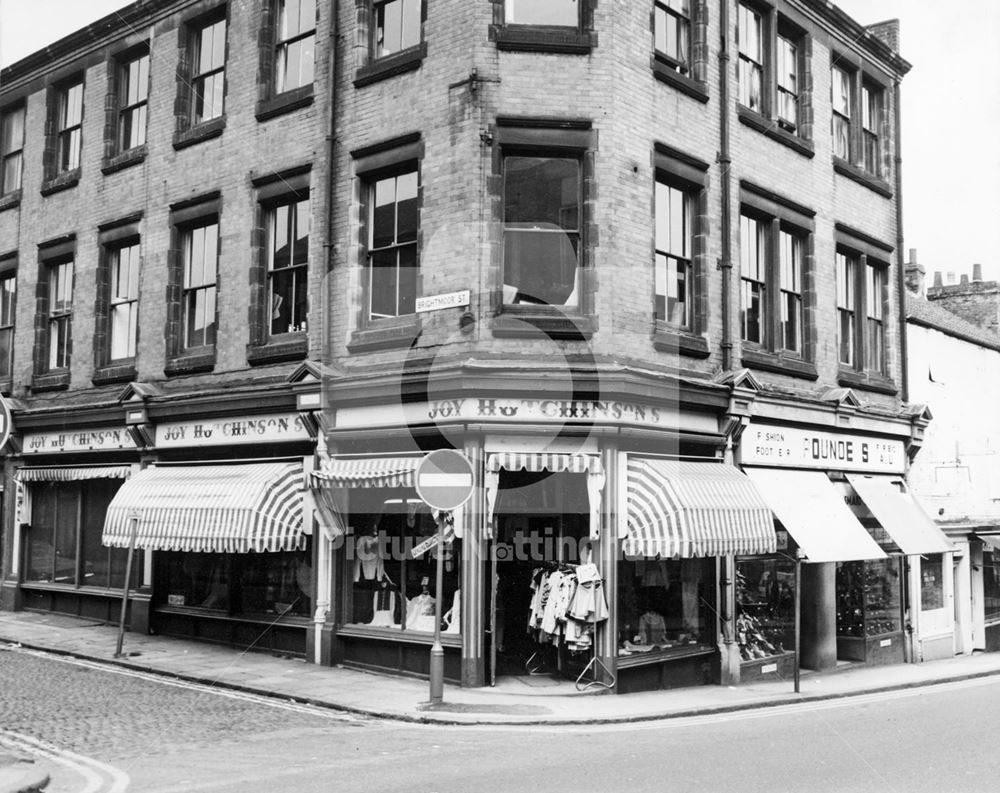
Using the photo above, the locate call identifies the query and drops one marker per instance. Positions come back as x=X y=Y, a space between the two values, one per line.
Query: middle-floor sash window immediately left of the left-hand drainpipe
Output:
x=288 y=266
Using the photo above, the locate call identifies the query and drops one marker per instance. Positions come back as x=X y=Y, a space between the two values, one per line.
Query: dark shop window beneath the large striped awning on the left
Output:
x=272 y=584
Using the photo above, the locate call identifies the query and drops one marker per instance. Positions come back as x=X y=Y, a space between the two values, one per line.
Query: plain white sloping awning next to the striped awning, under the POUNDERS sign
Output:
x=815 y=514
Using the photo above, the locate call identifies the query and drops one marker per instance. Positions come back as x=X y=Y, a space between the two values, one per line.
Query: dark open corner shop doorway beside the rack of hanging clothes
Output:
x=541 y=526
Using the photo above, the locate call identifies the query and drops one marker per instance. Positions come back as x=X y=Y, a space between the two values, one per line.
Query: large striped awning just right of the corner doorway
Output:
x=680 y=509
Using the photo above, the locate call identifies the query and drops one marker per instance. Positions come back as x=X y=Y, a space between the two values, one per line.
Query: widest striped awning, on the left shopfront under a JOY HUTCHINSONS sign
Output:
x=210 y=508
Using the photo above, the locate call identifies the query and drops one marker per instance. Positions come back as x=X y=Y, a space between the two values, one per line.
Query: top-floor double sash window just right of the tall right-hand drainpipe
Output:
x=772 y=70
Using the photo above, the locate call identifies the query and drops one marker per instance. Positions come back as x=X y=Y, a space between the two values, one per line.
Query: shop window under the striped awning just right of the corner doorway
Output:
x=664 y=605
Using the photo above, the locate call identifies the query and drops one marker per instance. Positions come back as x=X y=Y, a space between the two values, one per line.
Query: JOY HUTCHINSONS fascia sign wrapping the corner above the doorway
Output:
x=549 y=411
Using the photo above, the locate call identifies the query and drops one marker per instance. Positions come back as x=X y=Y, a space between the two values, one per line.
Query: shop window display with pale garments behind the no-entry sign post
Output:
x=393 y=565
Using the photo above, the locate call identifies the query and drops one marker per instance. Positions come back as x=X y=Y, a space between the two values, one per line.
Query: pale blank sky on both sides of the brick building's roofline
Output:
x=950 y=102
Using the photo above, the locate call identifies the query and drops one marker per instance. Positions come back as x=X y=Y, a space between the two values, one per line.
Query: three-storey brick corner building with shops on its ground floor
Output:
x=652 y=291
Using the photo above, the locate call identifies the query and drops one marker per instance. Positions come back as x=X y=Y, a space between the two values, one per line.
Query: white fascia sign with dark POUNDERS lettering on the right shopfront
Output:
x=792 y=447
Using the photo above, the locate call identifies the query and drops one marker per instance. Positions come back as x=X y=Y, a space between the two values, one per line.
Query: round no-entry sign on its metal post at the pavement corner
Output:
x=444 y=480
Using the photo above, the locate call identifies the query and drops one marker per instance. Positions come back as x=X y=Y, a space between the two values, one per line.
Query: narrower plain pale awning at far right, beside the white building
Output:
x=900 y=515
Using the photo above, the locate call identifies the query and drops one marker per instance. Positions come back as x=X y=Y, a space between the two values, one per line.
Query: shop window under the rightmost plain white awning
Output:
x=869 y=601
